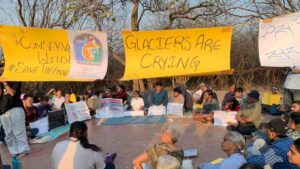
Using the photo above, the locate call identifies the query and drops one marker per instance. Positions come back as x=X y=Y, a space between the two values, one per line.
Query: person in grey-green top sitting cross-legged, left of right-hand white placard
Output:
x=210 y=104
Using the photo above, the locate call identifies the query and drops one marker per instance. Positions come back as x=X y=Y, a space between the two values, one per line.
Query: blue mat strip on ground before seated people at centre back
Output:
x=135 y=120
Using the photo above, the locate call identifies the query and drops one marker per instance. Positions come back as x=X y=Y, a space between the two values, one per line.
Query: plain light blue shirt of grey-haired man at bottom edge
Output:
x=235 y=161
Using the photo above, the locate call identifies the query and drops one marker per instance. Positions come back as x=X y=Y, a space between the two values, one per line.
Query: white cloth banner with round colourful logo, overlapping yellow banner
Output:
x=89 y=54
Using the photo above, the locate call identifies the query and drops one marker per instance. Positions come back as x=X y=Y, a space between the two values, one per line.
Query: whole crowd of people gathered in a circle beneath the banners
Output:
x=248 y=143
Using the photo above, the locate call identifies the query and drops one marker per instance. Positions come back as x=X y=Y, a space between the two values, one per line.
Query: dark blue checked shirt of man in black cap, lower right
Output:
x=277 y=153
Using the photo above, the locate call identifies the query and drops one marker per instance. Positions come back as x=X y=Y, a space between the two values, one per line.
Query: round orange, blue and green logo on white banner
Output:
x=88 y=49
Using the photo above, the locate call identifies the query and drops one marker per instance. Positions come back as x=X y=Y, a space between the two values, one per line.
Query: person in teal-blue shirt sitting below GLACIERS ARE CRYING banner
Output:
x=160 y=96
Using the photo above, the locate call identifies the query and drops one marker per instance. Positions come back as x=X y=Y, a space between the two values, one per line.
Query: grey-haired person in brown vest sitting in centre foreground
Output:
x=169 y=138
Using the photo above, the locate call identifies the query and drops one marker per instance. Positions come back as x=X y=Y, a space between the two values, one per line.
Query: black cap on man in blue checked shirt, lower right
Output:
x=278 y=126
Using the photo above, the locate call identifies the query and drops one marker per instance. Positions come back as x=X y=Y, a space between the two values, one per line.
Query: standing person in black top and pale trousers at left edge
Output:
x=13 y=118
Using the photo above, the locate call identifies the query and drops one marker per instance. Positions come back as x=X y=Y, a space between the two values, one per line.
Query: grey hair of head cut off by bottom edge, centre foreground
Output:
x=168 y=162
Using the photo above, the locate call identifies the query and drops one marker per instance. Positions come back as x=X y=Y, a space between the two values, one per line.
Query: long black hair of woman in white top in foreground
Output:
x=78 y=130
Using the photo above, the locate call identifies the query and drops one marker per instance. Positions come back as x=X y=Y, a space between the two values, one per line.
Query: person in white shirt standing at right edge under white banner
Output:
x=291 y=91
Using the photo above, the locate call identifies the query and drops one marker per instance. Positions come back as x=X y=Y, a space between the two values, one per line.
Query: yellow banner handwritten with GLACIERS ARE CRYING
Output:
x=179 y=52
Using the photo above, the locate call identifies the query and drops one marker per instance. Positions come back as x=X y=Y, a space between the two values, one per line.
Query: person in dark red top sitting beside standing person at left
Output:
x=31 y=115
